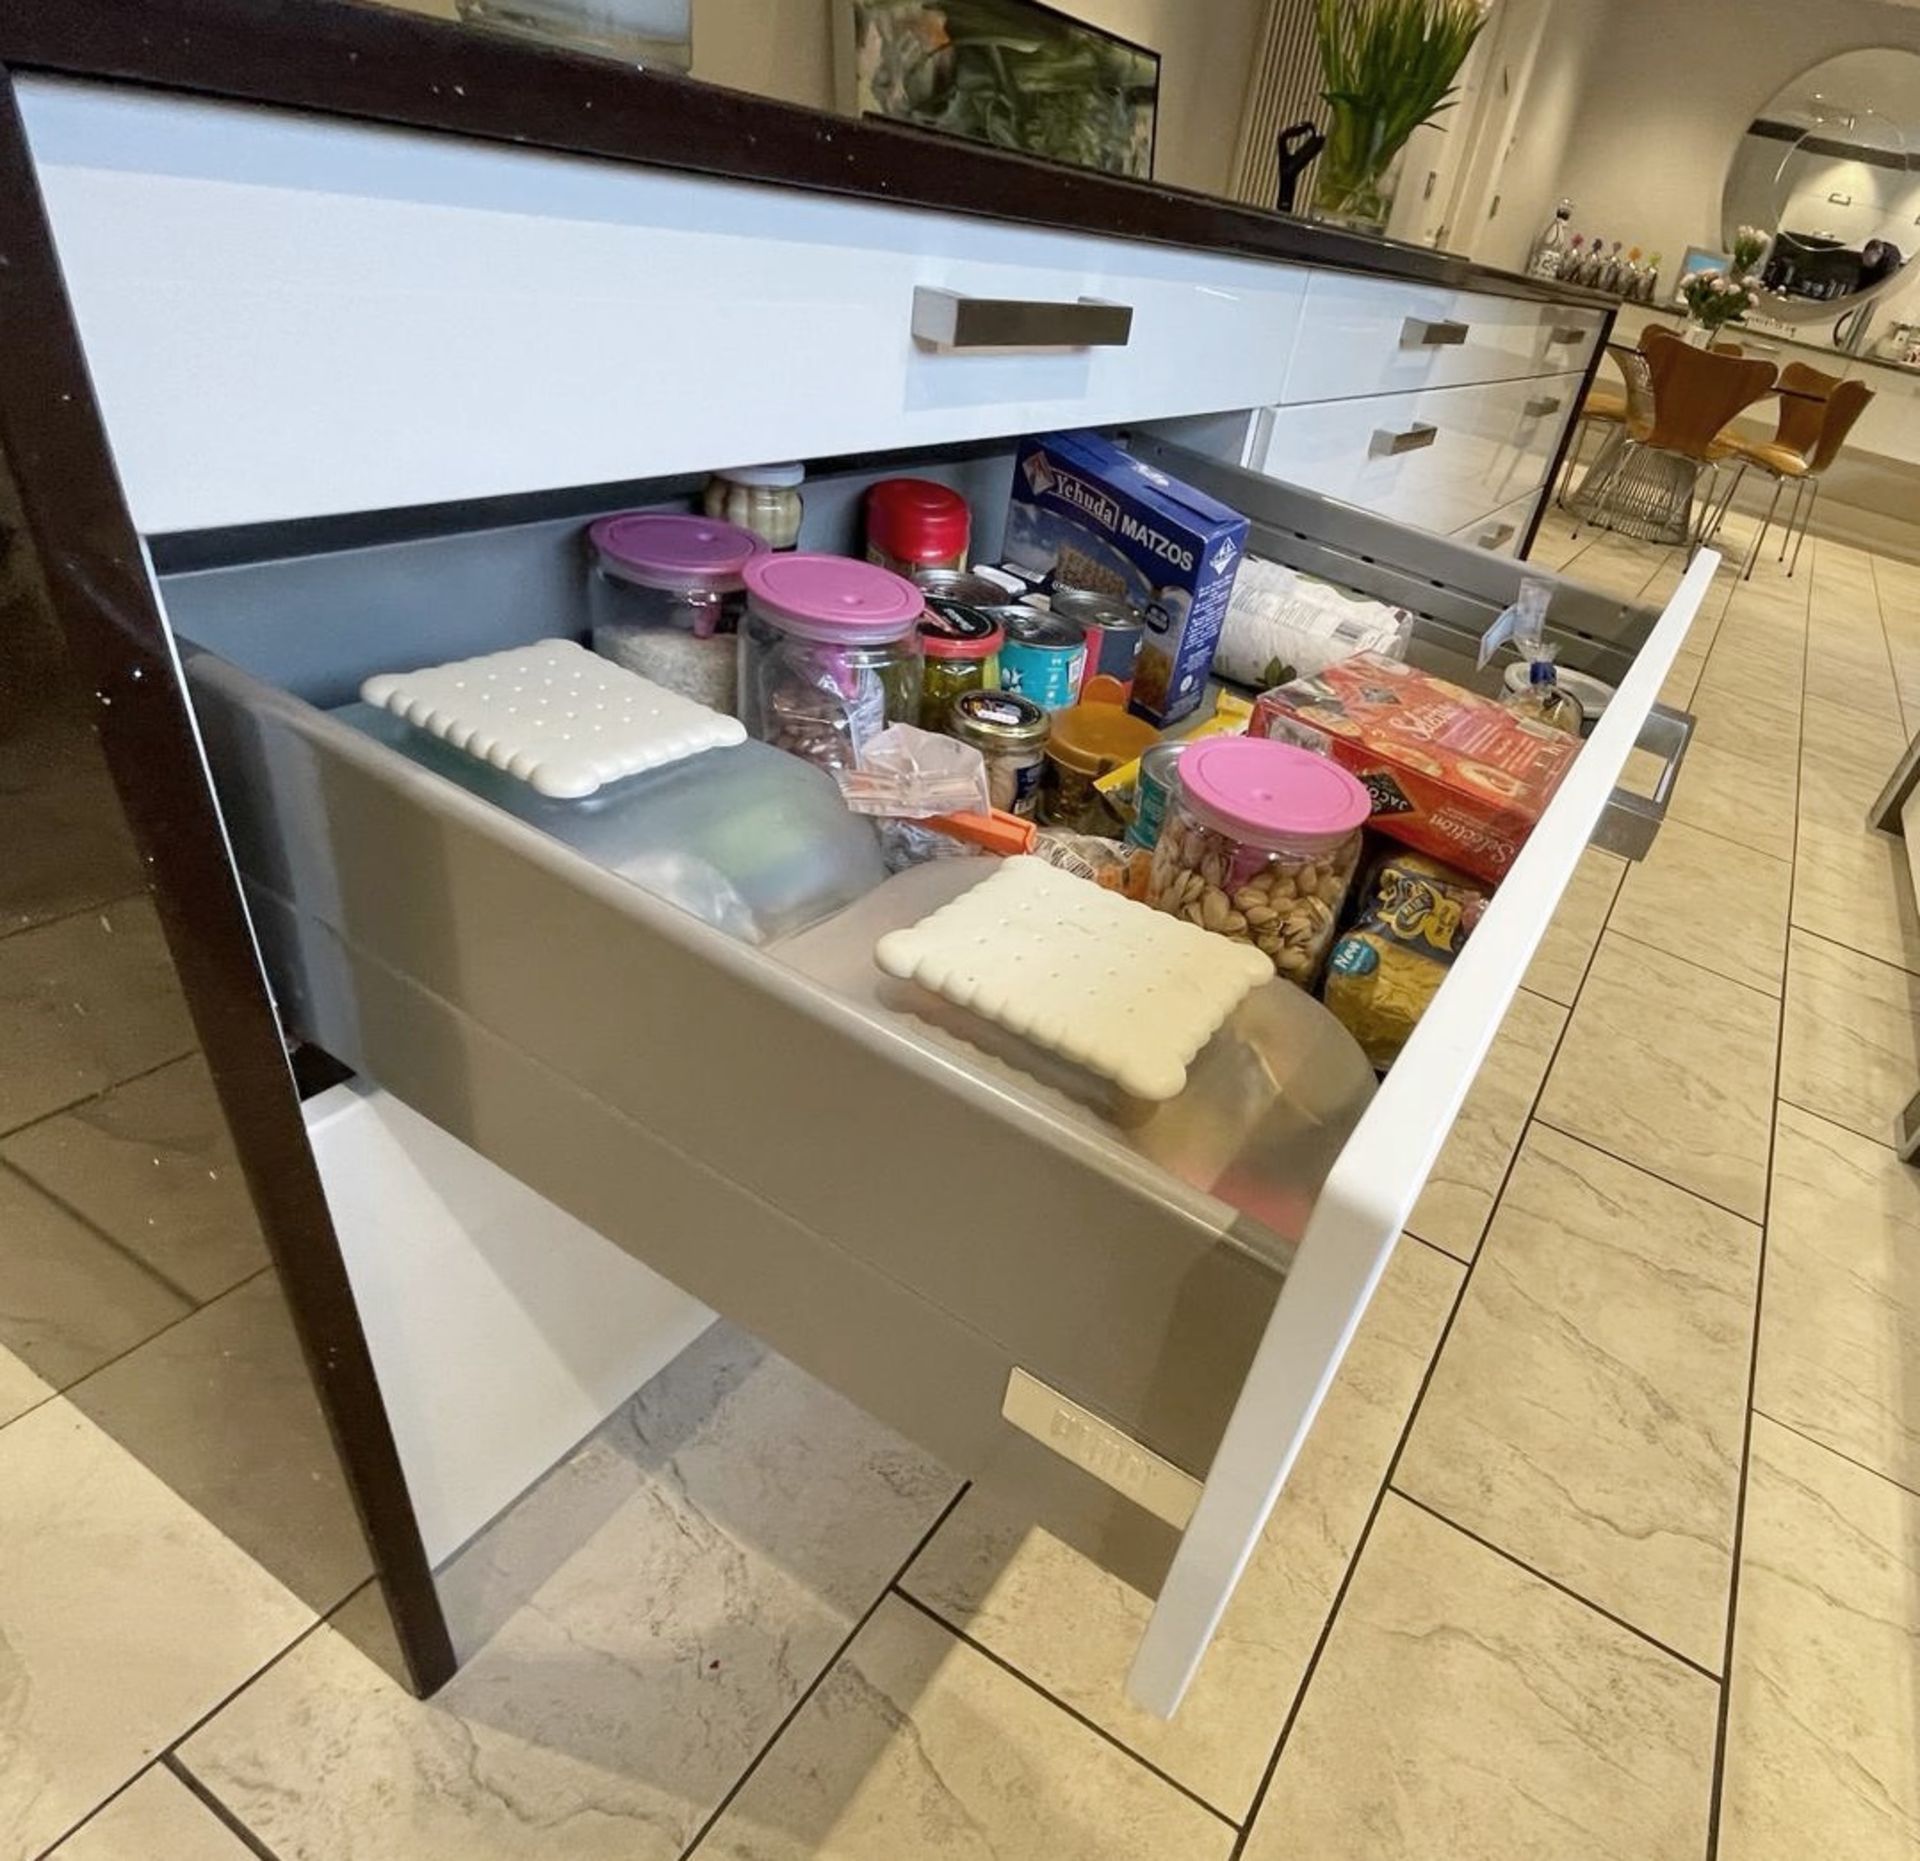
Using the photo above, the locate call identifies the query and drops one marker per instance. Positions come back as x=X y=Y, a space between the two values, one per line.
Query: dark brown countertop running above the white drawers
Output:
x=345 y=59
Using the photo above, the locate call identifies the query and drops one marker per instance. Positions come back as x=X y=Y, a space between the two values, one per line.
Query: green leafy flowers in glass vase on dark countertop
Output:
x=1387 y=68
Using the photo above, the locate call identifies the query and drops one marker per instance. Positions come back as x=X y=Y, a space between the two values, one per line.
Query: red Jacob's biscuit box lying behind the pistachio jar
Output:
x=1451 y=773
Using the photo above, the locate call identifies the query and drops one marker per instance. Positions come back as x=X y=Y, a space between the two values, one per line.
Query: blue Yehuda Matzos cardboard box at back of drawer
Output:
x=1090 y=516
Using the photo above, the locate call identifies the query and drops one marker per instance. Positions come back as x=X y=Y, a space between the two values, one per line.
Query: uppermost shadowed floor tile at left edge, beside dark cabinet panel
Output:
x=85 y=1003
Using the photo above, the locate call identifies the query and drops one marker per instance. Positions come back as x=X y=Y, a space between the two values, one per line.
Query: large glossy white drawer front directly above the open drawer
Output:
x=291 y=318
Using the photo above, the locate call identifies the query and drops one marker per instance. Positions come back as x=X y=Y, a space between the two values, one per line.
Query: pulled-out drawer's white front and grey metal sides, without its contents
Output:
x=1001 y=1272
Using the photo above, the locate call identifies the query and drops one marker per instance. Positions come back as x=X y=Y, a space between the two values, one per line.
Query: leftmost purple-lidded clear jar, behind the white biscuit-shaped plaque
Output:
x=667 y=598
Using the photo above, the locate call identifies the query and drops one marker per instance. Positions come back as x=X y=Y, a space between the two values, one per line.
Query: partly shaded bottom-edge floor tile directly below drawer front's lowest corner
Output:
x=917 y=1745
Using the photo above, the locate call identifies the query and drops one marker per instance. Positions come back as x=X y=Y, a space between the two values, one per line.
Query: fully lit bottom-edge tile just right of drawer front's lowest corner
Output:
x=1468 y=1710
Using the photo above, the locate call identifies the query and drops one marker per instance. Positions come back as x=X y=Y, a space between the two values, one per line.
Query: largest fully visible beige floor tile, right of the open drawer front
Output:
x=1591 y=1405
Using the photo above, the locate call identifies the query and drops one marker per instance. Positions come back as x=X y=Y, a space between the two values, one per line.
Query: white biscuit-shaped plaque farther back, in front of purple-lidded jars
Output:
x=556 y=715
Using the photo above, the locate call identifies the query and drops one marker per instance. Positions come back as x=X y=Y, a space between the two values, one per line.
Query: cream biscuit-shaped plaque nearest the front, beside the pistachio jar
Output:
x=1118 y=988
